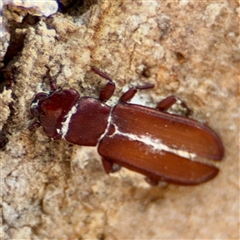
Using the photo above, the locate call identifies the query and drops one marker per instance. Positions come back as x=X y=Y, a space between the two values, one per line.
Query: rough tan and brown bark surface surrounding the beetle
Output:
x=54 y=190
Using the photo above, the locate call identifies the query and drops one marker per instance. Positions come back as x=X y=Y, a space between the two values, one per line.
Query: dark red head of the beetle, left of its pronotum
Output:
x=52 y=109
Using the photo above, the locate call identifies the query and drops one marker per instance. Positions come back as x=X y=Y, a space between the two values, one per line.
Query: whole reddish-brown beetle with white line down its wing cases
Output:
x=150 y=141
